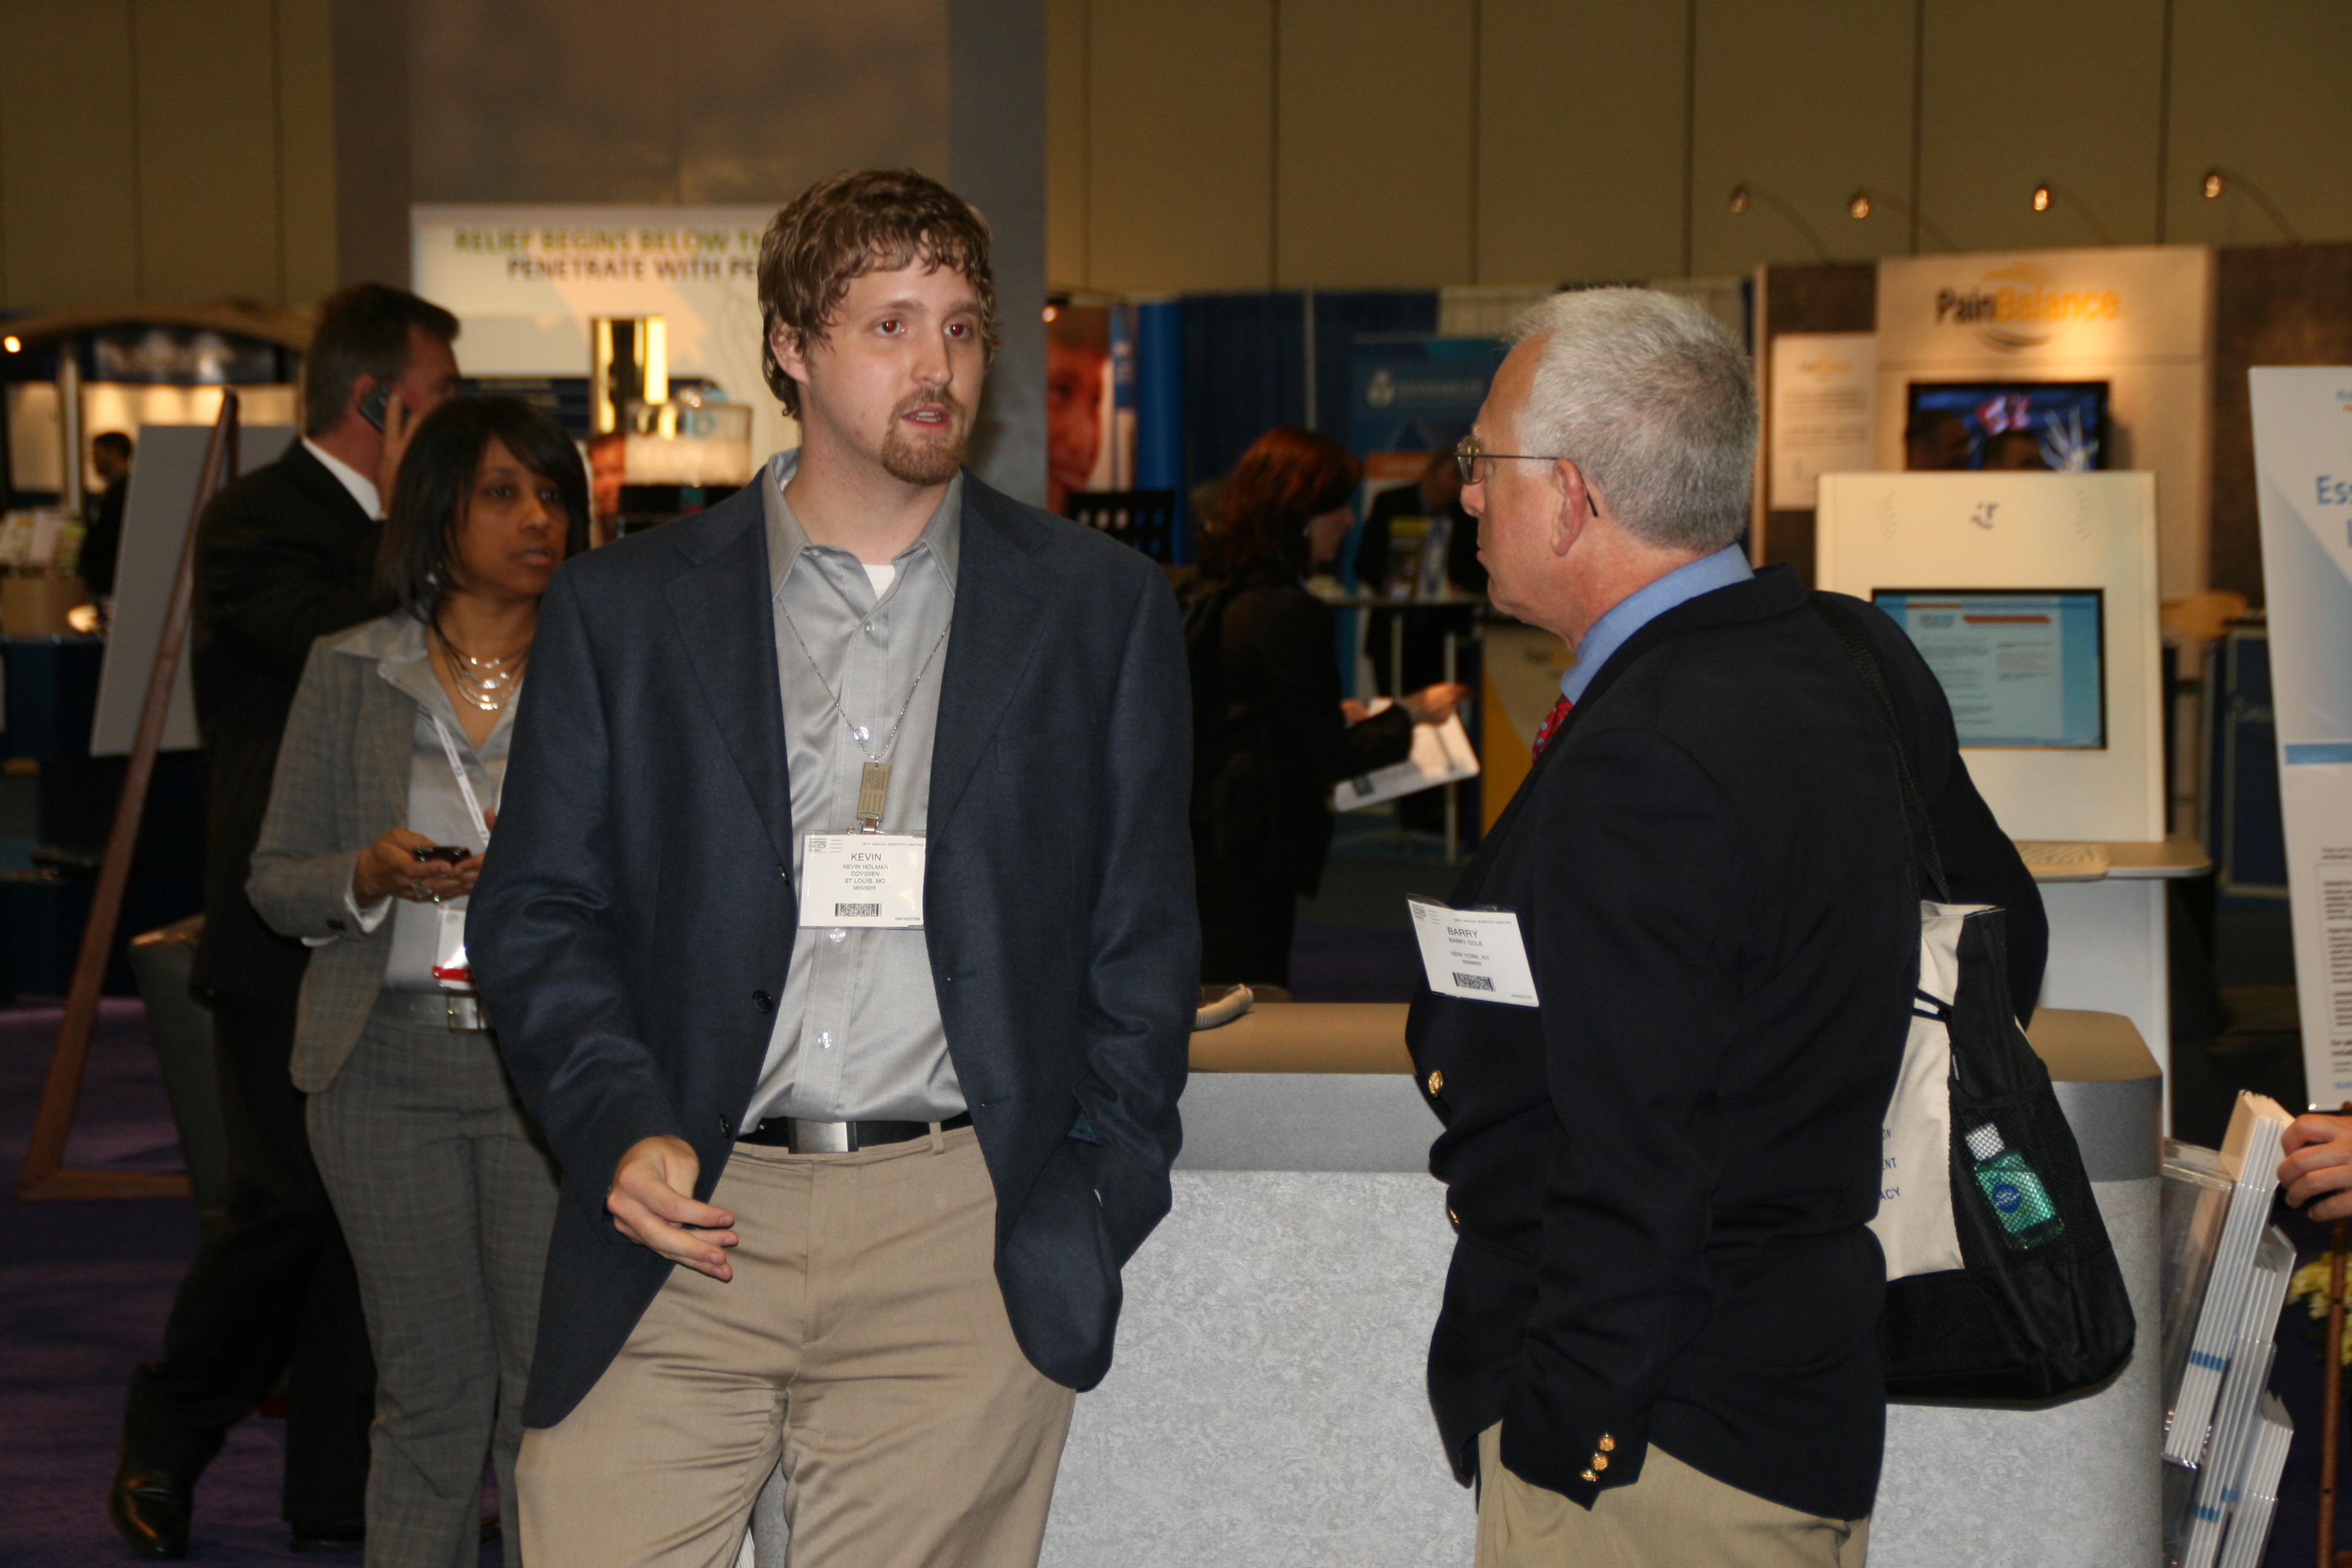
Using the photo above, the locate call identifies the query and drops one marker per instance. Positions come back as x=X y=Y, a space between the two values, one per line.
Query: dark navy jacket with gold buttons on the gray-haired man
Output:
x=1664 y=1172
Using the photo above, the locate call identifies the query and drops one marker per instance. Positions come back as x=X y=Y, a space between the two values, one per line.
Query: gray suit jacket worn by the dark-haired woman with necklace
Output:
x=342 y=782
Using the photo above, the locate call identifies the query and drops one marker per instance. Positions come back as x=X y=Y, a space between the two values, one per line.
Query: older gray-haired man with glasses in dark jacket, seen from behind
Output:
x=1662 y=1137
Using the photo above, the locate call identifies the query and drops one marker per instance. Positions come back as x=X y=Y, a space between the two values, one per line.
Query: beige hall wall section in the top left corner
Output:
x=168 y=152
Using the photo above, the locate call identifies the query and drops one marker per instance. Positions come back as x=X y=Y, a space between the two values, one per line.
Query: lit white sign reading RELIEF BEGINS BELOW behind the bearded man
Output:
x=528 y=281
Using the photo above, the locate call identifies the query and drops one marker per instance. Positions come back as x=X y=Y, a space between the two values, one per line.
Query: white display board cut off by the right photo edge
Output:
x=2304 y=478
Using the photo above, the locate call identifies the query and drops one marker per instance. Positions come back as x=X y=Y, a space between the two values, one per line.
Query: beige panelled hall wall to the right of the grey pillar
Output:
x=1248 y=145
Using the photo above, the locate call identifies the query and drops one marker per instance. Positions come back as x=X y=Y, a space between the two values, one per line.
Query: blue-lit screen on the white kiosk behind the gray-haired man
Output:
x=2022 y=669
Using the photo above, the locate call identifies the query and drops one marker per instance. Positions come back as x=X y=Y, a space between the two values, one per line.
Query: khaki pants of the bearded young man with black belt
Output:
x=862 y=1341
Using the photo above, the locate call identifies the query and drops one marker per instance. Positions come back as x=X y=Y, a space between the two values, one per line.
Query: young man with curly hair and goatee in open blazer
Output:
x=841 y=937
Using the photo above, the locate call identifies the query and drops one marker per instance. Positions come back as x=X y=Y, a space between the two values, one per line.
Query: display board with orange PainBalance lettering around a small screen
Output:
x=2134 y=316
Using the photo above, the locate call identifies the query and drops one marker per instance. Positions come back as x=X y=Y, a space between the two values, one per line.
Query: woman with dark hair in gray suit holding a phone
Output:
x=382 y=808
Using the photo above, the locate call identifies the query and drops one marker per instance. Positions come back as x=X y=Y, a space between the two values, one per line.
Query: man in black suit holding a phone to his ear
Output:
x=286 y=556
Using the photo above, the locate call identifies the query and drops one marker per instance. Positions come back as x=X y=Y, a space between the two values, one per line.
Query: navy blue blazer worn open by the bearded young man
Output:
x=636 y=909
